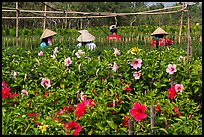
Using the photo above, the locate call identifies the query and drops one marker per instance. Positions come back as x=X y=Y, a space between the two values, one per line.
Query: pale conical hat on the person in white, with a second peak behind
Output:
x=85 y=36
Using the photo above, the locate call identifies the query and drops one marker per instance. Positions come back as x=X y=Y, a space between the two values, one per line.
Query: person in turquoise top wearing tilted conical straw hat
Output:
x=46 y=38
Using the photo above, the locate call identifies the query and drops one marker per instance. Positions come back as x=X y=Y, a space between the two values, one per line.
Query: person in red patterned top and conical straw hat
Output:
x=159 y=34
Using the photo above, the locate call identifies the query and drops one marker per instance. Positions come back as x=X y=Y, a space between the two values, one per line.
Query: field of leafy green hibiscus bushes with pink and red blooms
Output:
x=66 y=90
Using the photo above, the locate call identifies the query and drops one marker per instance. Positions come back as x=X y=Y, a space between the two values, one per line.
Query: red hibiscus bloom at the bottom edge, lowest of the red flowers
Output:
x=71 y=125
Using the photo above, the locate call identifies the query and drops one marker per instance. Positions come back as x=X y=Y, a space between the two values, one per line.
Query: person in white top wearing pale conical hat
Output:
x=86 y=39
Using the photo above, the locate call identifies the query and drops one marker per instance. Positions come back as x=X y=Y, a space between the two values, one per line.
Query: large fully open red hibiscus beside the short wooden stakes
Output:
x=138 y=111
